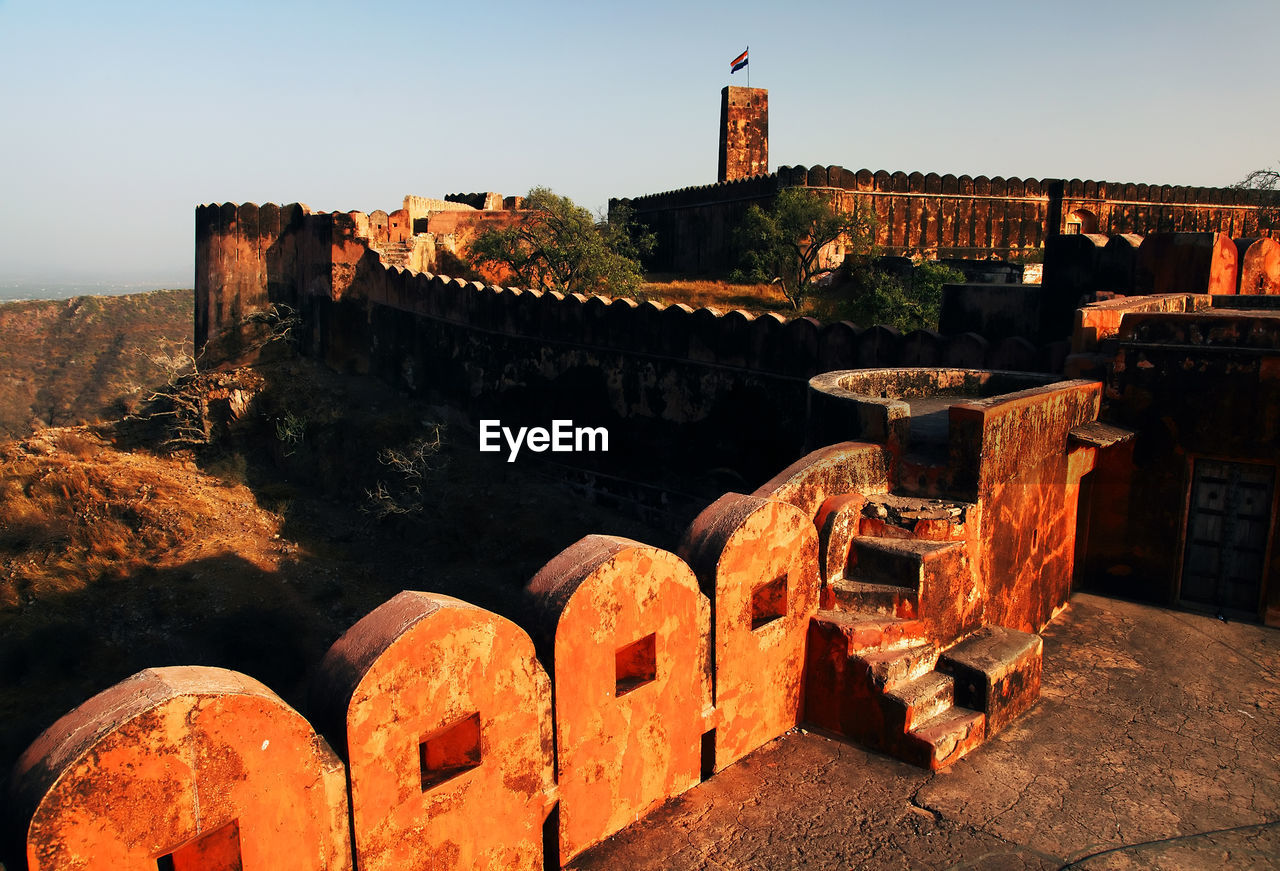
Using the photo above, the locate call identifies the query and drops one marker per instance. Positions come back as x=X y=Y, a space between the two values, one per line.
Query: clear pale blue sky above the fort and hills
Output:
x=120 y=118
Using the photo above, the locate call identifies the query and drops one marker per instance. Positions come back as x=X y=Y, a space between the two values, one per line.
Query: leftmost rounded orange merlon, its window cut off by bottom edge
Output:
x=189 y=767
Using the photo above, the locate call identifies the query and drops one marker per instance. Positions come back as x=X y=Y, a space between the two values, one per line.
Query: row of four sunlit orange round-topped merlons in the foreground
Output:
x=441 y=714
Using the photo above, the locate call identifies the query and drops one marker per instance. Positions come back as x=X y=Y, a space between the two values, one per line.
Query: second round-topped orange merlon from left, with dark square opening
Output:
x=445 y=715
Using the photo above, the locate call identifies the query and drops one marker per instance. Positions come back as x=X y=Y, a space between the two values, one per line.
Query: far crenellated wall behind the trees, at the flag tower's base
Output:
x=943 y=216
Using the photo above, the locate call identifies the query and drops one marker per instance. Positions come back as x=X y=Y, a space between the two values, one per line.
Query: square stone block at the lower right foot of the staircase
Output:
x=998 y=672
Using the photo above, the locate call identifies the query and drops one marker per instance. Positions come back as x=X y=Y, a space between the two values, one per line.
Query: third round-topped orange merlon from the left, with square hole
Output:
x=625 y=628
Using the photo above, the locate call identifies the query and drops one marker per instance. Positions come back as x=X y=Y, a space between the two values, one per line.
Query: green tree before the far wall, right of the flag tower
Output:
x=785 y=244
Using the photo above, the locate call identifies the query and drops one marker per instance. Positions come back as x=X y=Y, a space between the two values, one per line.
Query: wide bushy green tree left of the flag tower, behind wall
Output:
x=561 y=247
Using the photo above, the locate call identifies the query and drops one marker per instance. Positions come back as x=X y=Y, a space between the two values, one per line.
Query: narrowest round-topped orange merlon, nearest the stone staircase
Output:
x=758 y=563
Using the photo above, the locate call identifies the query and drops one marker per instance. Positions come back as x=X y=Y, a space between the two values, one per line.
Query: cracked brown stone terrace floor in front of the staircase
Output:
x=1156 y=745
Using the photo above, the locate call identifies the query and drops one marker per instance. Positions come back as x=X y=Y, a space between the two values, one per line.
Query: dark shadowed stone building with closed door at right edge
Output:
x=1182 y=507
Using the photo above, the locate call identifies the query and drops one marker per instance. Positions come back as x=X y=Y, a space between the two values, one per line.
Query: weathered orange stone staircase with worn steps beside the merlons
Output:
x=894 y=664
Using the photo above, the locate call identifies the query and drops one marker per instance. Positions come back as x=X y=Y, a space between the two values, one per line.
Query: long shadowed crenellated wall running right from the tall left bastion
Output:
x=680 y=390
